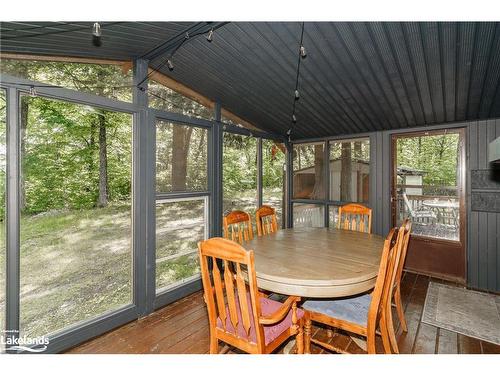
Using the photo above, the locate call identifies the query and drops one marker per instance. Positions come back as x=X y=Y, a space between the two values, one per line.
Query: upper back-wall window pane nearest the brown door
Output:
x=350 y=171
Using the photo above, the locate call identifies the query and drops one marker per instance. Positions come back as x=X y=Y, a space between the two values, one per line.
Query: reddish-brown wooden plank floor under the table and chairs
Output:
x=182 y=327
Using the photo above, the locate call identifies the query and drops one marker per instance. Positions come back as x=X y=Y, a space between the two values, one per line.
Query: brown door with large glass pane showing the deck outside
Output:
x=428 y=186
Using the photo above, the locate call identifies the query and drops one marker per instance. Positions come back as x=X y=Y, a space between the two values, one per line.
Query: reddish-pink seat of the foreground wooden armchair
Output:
x=271 y=332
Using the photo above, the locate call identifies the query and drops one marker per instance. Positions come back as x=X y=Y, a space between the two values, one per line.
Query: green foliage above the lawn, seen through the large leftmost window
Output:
x=60 y=163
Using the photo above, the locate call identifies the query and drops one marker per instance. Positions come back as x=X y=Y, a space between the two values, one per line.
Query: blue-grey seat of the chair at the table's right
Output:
x=353 y=310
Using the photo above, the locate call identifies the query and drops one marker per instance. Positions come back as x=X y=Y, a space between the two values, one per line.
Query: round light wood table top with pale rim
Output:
x=317 y=262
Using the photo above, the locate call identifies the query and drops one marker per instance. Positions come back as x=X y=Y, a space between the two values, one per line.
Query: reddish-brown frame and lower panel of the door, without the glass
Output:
x=433 y=245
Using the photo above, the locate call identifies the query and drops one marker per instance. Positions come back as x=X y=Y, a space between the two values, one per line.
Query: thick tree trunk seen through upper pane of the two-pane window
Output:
x=180 y=148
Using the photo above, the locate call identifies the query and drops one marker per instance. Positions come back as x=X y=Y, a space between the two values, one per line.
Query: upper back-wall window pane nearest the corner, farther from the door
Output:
x=308 y=171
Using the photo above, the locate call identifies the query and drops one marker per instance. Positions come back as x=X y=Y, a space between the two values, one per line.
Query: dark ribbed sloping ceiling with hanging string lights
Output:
x=357 y=77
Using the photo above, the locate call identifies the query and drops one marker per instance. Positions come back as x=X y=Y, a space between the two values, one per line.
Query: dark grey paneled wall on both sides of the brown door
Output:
x=483 y=232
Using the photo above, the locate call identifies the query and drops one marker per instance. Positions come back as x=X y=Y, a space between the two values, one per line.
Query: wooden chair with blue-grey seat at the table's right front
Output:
x=361 y=314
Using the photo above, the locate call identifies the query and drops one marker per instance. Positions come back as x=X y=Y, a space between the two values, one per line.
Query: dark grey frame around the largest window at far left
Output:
x=80 y=331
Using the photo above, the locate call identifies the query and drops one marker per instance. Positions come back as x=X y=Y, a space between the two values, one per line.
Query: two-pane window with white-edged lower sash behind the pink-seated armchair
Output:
x=181 y=167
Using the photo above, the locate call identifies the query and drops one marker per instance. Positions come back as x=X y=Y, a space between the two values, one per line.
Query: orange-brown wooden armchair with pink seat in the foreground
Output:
x=238 y=314
